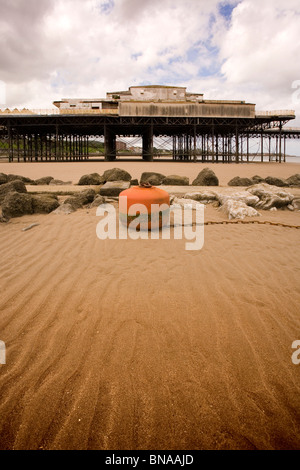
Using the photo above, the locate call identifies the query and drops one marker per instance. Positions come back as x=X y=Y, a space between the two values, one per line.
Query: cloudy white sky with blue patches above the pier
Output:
x=246 y=50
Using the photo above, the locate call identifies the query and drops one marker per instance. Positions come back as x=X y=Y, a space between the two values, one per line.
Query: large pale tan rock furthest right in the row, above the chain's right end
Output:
x=270 y=196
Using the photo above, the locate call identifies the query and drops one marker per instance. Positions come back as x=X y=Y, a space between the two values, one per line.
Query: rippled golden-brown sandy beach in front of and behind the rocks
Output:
x=127 y=345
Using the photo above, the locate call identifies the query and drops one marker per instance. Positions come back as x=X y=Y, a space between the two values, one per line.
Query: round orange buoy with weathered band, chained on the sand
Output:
x=153 y=204
